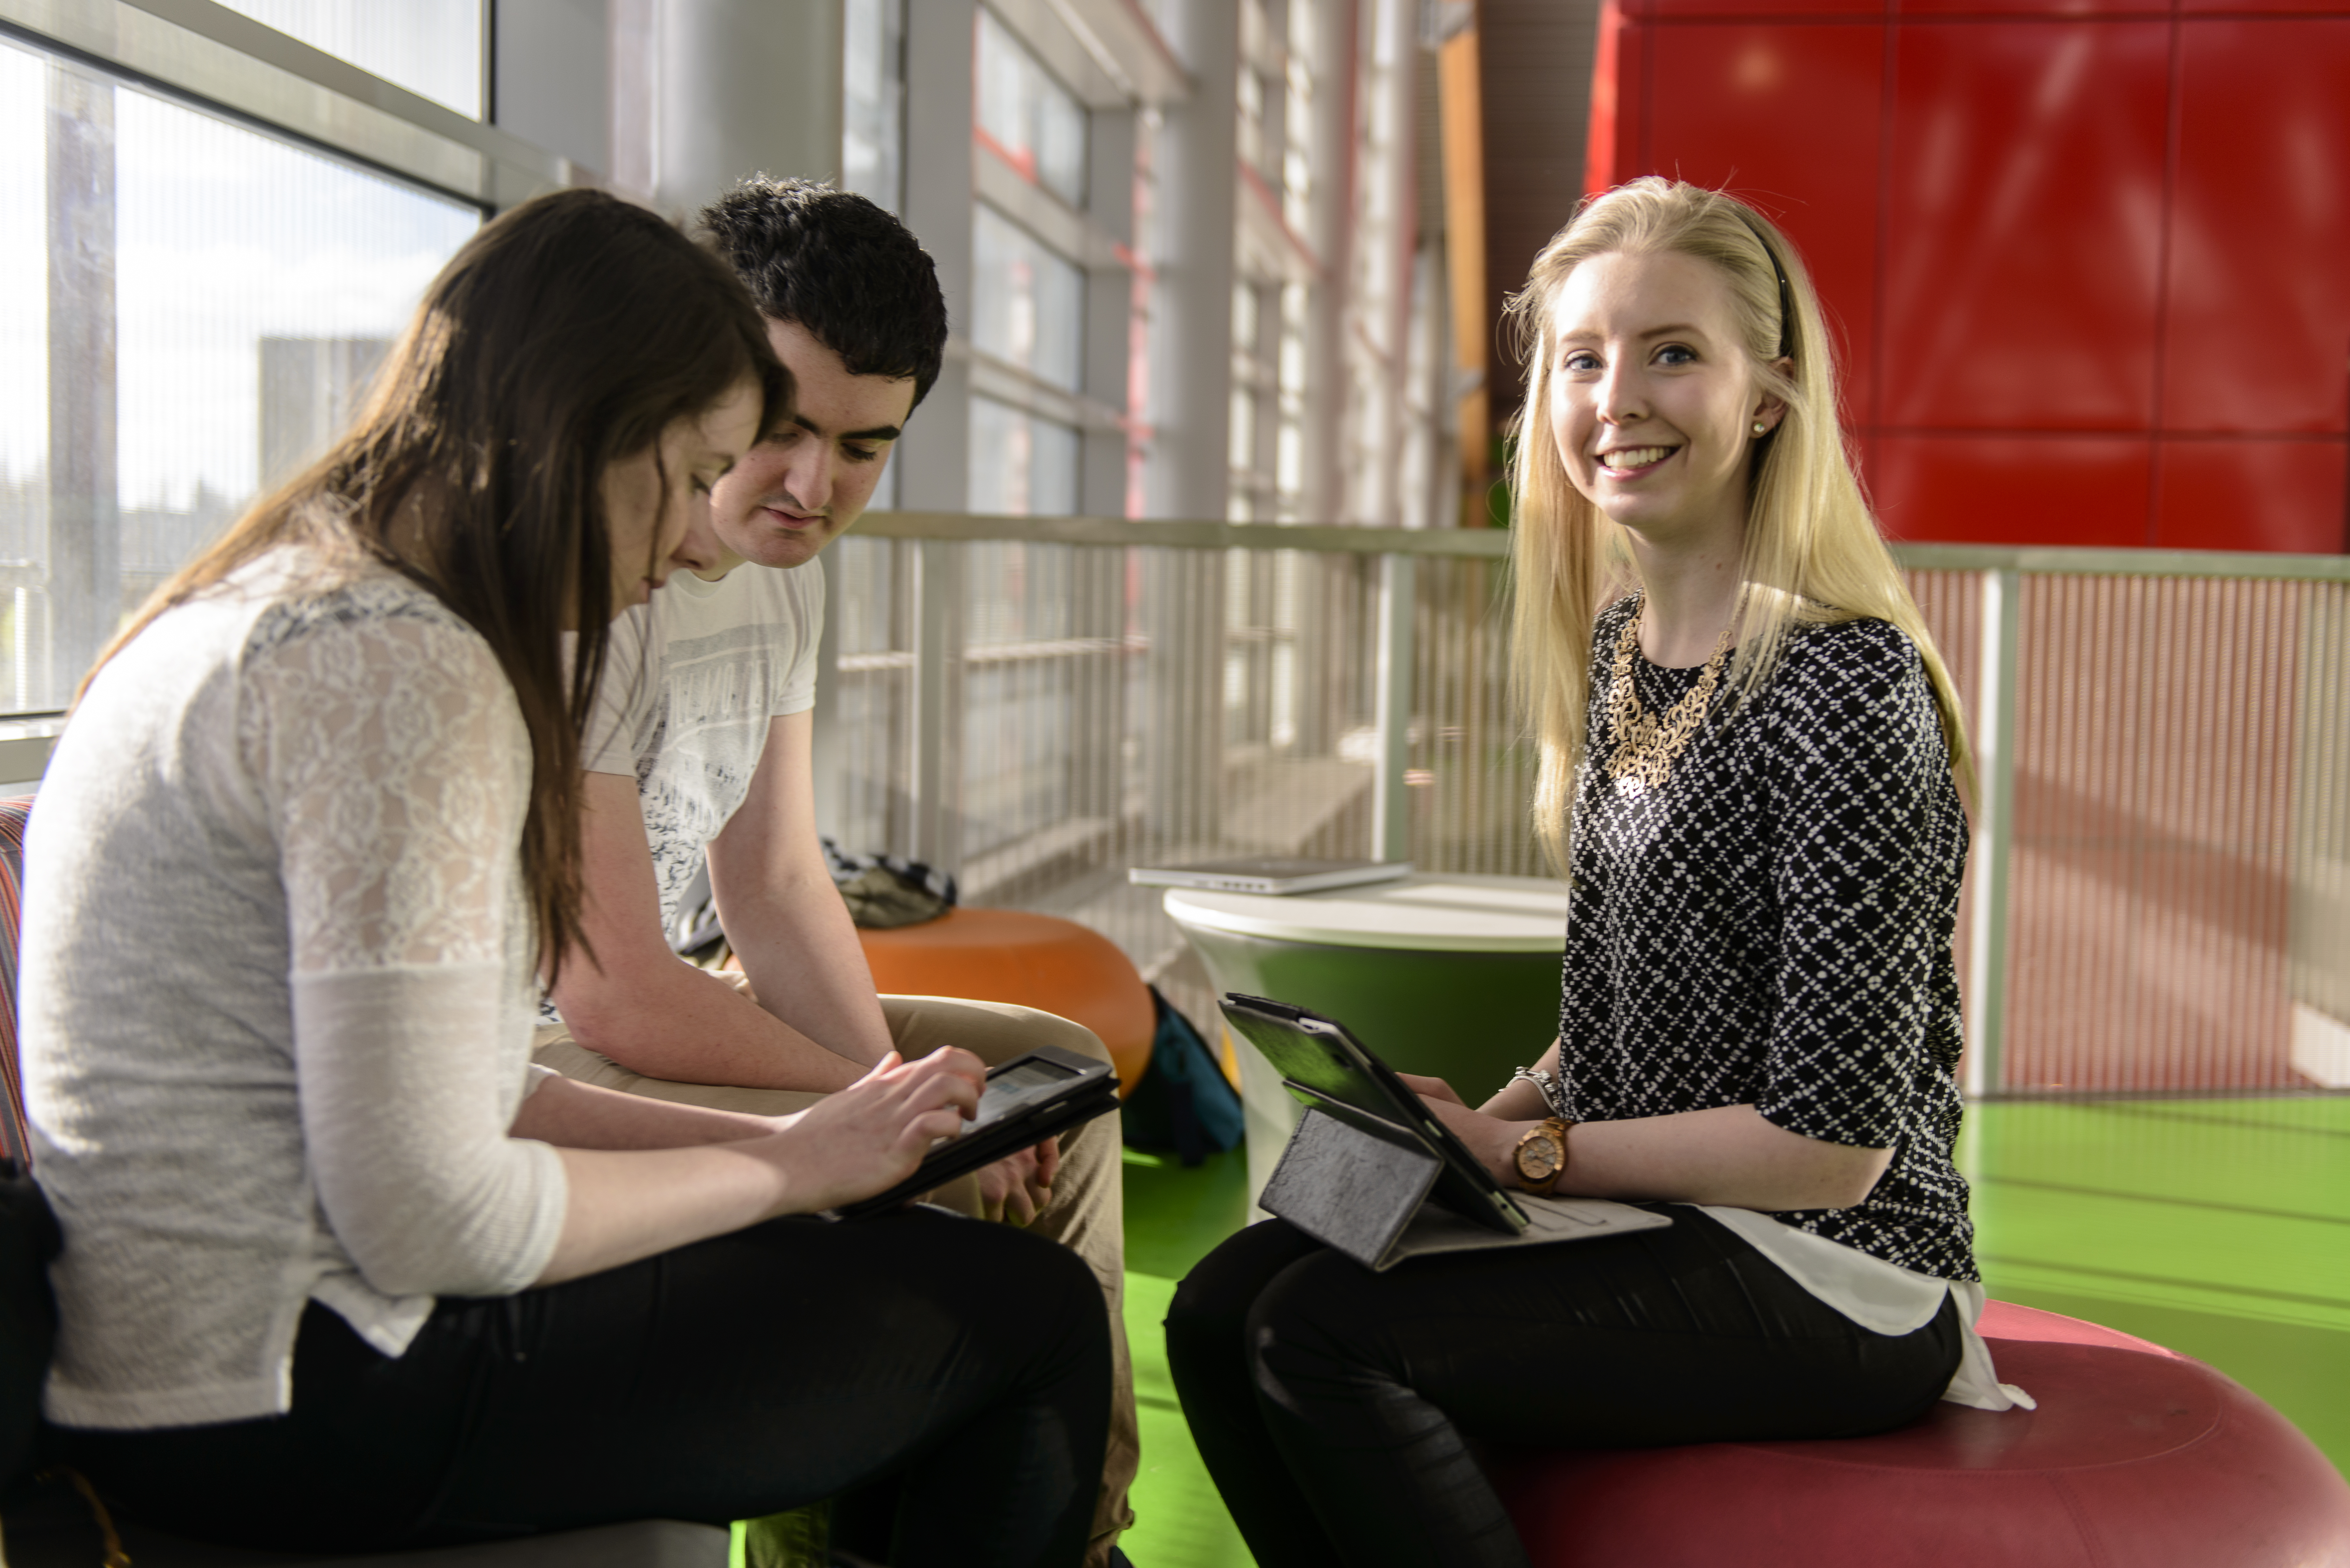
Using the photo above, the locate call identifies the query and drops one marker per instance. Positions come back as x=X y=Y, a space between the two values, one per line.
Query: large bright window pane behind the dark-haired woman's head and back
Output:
x=187 y=314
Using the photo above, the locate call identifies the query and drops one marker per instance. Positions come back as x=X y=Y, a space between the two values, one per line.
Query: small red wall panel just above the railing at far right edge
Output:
x=2252 y=497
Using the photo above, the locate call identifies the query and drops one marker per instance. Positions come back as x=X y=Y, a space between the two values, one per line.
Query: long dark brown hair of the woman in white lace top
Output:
x=563 y=337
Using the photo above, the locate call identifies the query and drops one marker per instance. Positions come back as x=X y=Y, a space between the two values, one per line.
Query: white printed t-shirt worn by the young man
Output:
x=690 y=685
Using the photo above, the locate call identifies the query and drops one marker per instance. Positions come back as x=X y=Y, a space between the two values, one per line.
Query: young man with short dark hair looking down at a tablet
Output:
x=699 y=756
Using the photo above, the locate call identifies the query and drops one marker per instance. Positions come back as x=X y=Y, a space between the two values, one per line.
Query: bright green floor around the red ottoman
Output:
x=2220 y=1228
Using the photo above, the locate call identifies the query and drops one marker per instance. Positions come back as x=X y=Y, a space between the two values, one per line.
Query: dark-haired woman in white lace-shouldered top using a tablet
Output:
x=340 y=1271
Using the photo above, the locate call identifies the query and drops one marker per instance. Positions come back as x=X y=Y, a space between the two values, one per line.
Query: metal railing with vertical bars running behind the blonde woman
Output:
x=2158 y=892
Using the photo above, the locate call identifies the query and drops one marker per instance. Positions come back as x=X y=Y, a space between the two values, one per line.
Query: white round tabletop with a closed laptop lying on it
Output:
x=1416 y=913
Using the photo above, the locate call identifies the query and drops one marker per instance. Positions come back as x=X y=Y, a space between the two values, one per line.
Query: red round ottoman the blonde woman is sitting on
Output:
x=2135 y=1459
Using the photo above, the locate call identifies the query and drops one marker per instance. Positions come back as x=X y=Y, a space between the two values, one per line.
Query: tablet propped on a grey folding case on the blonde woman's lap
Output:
x=1329 y=1068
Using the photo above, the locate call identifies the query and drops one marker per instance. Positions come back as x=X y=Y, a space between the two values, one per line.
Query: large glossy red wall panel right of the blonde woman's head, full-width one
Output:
x=2027 y=194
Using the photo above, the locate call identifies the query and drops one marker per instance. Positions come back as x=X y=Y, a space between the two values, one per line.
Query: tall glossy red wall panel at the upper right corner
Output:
x=2260 y=302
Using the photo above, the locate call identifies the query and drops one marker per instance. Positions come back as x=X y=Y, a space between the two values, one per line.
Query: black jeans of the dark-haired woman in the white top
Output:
x=960 y=1372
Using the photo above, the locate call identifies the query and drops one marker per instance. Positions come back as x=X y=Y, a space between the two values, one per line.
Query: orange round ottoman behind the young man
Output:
x=1033 y=960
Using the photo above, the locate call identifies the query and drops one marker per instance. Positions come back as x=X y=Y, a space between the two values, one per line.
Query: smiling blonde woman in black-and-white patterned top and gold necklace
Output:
x=1750 y=777
